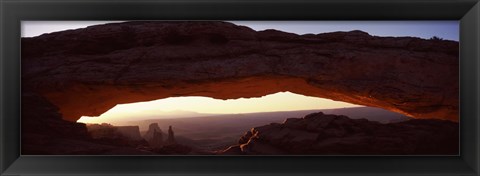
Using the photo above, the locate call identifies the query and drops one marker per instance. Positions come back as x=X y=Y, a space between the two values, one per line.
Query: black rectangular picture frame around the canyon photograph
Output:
x=13 y=12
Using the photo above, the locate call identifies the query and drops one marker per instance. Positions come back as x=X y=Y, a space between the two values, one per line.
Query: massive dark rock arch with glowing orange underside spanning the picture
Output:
x=106 y=65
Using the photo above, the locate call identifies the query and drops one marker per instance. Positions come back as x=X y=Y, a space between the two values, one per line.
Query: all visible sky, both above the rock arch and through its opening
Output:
x=282 y=101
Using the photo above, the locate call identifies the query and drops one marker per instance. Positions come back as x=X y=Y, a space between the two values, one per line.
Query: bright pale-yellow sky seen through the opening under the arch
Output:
x=177 y=107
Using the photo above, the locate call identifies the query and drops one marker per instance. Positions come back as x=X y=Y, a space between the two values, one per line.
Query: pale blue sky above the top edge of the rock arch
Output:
x=424 y=29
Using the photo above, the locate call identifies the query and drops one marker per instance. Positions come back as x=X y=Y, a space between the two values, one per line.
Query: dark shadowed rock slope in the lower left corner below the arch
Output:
x=44 y=132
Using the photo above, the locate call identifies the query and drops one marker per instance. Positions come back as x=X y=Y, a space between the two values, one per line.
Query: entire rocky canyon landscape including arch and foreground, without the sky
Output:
x=407 y=88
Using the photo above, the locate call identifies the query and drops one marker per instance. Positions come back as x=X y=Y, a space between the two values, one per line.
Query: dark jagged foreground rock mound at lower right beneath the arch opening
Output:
x=338 y=135
